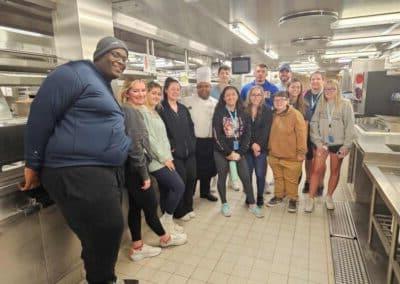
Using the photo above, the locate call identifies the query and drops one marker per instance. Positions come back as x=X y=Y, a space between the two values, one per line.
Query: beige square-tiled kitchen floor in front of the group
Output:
x=280 y=248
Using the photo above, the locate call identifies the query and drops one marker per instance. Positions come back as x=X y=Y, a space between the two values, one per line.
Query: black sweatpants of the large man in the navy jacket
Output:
x=90 y=200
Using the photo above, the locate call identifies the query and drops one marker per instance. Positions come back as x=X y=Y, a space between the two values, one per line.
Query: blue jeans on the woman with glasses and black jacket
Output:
x=259 y=164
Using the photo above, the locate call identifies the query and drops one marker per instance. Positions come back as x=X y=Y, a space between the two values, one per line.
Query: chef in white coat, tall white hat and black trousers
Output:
x=201 y=107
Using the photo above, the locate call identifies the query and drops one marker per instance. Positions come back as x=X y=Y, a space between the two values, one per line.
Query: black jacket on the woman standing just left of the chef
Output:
x=180 y=130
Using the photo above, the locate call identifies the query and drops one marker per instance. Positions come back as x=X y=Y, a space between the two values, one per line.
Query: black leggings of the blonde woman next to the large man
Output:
x=139 y=200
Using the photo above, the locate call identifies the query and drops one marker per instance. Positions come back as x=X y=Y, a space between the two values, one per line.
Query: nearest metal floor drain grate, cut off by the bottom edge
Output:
x=348 y=262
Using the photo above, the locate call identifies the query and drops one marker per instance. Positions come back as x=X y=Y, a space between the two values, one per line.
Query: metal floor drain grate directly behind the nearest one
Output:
x=341 y=223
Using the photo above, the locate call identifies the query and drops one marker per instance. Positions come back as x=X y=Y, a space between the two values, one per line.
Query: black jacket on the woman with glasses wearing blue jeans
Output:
x=260 y=128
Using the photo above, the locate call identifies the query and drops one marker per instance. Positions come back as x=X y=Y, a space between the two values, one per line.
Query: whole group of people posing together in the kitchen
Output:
x=91 y=145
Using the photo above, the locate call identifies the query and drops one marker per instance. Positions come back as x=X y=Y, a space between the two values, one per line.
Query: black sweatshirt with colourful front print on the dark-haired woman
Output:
x=223 y=141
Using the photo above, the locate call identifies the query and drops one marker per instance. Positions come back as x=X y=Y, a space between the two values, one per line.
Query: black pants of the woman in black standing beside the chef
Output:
x=187 y=171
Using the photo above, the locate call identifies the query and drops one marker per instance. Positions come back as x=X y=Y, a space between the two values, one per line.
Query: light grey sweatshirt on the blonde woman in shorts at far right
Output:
x=342 y=124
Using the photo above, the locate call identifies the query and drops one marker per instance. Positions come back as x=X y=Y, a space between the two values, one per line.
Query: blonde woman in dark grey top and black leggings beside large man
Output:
x=142 y=195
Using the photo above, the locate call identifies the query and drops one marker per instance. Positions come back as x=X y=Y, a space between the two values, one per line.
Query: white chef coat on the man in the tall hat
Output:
x=201 y=112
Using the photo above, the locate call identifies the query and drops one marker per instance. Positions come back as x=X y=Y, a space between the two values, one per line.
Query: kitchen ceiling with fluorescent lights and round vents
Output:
x=207 y=22
